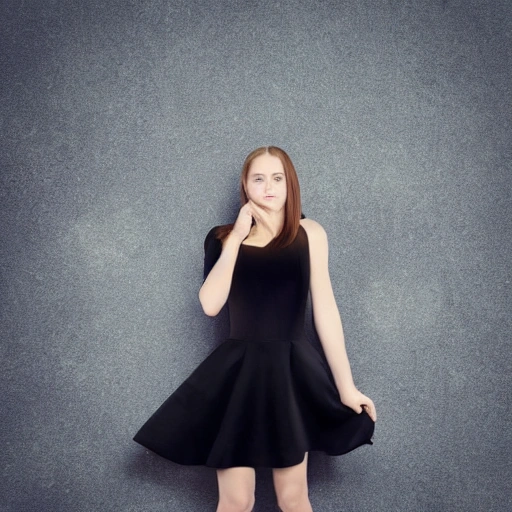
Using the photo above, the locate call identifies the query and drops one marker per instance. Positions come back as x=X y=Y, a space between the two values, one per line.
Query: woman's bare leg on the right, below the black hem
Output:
x=291 y=485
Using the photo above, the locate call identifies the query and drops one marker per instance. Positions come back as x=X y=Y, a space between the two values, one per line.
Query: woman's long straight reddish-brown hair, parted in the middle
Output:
x=292 y=206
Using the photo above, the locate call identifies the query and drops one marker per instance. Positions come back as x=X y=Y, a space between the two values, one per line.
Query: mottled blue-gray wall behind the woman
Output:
x=124 y=126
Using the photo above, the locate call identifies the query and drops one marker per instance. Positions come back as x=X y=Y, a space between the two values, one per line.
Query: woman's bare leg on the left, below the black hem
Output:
x=236 y=489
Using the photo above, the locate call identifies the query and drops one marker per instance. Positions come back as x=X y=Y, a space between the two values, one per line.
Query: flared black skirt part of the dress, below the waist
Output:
x=255 y=404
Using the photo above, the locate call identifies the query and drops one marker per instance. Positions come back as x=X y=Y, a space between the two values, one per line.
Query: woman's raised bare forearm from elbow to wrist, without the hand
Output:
x=215 y=290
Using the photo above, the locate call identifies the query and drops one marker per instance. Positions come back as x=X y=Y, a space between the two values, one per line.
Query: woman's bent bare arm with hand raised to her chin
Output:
x=215 y=290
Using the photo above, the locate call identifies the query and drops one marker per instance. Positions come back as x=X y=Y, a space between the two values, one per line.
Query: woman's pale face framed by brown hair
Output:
x=266 y=182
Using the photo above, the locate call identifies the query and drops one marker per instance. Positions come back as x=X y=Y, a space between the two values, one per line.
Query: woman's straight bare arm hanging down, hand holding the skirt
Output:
x=328 y=322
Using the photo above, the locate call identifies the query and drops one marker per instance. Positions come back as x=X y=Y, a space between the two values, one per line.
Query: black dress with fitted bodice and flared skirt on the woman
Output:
x=264 y=396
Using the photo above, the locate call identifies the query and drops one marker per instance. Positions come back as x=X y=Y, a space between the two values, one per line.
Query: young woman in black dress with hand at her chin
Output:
x=264 y=398
